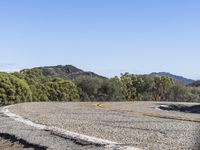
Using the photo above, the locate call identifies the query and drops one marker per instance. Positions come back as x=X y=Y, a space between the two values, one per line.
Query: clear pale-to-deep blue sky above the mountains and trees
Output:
x=104 y=36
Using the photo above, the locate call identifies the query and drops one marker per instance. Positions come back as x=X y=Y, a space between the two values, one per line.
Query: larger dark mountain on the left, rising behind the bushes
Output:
x=67 y=71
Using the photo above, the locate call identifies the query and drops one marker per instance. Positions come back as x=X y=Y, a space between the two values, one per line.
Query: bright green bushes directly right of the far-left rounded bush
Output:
x=49 y=88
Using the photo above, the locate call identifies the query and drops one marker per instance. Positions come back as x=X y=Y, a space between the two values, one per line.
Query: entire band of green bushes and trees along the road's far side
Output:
x=32 y=85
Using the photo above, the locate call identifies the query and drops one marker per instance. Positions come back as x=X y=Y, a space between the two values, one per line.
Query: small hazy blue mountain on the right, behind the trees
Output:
x=179 y=79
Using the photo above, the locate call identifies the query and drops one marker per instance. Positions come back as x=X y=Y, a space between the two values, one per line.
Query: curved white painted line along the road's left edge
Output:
x=79 y=139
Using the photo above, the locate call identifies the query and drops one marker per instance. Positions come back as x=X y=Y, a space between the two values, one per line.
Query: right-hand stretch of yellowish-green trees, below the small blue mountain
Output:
x=158 y=88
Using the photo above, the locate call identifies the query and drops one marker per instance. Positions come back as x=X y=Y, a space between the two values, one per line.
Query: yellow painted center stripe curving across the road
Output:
x=147 y=114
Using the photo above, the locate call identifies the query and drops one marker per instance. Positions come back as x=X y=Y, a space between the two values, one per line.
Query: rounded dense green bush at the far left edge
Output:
x=13 y=90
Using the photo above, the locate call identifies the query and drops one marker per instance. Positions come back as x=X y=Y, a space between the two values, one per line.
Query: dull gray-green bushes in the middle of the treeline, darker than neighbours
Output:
x=96 y=89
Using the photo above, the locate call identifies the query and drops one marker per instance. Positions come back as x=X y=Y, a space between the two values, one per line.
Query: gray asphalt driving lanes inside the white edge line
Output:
x=122 y=127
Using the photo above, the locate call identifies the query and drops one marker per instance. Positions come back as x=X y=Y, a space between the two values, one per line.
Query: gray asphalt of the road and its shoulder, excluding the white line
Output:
x=126 y=123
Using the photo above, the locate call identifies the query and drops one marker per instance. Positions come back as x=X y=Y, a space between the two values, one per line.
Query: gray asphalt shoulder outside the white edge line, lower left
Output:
x=27 y=137
